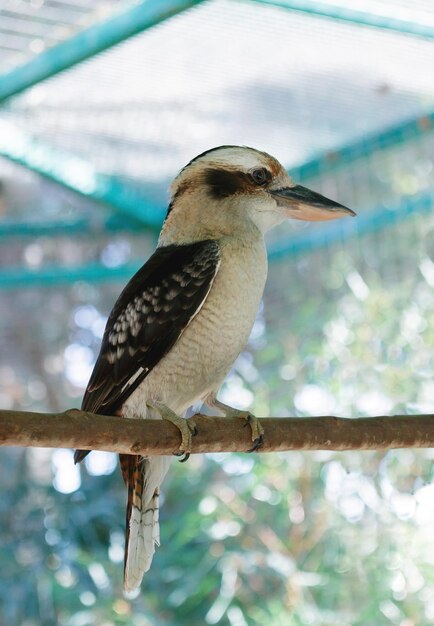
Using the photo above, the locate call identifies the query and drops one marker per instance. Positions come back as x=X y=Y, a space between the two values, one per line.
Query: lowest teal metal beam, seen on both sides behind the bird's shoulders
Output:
x=315 y=238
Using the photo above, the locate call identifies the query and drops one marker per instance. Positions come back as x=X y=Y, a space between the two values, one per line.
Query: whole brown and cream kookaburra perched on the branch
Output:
x=182 y=320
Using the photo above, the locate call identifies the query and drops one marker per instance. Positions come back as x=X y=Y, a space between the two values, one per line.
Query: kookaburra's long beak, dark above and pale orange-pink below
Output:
x=301 y=203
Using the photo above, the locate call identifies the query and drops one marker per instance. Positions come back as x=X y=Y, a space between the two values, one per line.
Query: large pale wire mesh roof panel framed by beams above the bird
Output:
x=289 y=83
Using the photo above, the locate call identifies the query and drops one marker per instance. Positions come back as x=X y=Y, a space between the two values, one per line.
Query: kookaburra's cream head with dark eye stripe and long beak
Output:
x=230 y=189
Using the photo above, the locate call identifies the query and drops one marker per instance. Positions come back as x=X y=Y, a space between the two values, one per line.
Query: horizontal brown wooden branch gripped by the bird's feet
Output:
x=79 y=429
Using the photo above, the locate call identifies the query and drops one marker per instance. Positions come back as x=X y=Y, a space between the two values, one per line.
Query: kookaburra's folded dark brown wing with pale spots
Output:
x=146 y=321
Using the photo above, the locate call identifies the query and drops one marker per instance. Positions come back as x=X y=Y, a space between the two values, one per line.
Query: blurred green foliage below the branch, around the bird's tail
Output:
x=301 y=538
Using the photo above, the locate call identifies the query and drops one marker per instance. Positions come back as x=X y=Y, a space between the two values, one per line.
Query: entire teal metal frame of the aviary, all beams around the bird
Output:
x=139 y=211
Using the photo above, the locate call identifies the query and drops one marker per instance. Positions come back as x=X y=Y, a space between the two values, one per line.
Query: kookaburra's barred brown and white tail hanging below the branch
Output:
x=143 y=476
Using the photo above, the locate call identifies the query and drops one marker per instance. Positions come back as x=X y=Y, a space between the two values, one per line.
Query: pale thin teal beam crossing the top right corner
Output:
x=354 y=16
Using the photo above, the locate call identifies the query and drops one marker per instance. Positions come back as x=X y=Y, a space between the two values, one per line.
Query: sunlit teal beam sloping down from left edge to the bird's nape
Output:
x=78 y=175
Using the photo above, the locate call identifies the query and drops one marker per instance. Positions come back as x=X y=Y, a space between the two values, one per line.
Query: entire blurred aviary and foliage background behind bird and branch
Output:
x=101 y=103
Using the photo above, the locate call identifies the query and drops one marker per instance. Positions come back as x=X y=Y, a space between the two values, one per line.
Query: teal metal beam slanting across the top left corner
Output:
x=89 y=42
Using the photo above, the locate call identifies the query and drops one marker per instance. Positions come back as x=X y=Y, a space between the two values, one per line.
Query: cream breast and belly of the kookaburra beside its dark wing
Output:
x=205 y=352
